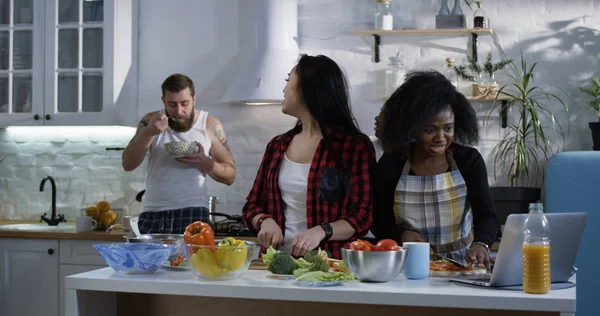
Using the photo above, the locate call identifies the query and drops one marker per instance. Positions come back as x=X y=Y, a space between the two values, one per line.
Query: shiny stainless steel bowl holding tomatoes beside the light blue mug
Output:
x=374 y=266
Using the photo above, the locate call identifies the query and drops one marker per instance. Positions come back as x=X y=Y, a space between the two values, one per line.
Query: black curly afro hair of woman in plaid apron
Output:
x=416 y=102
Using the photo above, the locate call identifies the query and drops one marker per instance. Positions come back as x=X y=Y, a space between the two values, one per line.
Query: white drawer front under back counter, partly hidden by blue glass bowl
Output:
x=80 y=252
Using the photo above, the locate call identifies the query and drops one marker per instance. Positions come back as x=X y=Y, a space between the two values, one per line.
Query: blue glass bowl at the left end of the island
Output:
x=135 y=258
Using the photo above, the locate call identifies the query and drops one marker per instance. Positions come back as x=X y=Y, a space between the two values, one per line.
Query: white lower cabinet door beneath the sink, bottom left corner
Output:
x=29 y=277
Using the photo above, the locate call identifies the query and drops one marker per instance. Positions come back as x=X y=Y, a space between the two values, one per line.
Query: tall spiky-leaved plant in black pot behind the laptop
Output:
x=527 y=142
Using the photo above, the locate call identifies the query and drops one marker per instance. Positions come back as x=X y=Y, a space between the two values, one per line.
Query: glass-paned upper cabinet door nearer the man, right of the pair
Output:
x=79 y=62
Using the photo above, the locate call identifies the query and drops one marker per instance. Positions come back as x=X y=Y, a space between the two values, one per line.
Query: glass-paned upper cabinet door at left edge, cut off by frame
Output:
x=21 y=62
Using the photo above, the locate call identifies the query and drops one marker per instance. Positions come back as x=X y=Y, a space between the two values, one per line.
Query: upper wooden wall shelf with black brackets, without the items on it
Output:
x=475 y=32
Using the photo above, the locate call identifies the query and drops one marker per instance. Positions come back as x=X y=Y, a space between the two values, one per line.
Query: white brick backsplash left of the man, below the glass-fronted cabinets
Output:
x=74 y=156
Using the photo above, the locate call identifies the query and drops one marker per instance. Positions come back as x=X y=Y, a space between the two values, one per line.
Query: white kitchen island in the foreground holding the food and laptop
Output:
x=105 y=292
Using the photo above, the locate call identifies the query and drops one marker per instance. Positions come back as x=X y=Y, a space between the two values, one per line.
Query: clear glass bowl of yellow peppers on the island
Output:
x=225 y=260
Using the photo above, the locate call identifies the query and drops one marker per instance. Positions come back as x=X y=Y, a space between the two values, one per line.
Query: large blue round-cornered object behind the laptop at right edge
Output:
x=572 y=184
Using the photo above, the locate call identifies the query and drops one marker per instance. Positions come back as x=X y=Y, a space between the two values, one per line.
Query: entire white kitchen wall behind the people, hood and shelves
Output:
x=560 y=34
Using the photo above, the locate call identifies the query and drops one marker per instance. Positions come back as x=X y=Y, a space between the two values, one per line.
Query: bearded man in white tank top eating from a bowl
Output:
x=176 y=193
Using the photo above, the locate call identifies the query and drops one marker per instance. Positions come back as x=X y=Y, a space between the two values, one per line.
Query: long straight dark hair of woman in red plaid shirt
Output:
x=324 y=90
